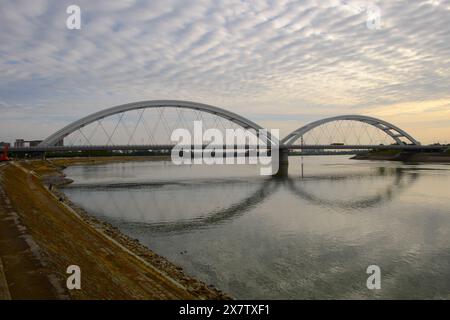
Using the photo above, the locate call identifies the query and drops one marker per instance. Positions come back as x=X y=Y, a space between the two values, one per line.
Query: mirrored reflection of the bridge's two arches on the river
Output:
x=394 y=181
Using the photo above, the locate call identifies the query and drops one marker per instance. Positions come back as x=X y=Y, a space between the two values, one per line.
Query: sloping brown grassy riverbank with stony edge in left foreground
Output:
x=47 y=233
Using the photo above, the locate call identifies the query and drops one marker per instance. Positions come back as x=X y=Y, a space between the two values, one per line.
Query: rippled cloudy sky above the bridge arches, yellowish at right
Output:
x=280 y=63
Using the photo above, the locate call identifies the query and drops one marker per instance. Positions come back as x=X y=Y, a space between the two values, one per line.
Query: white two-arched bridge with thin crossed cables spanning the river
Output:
x=147 y=125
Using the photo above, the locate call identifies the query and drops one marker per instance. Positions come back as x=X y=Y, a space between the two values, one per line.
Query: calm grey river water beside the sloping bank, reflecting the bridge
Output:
x=311 y=235
